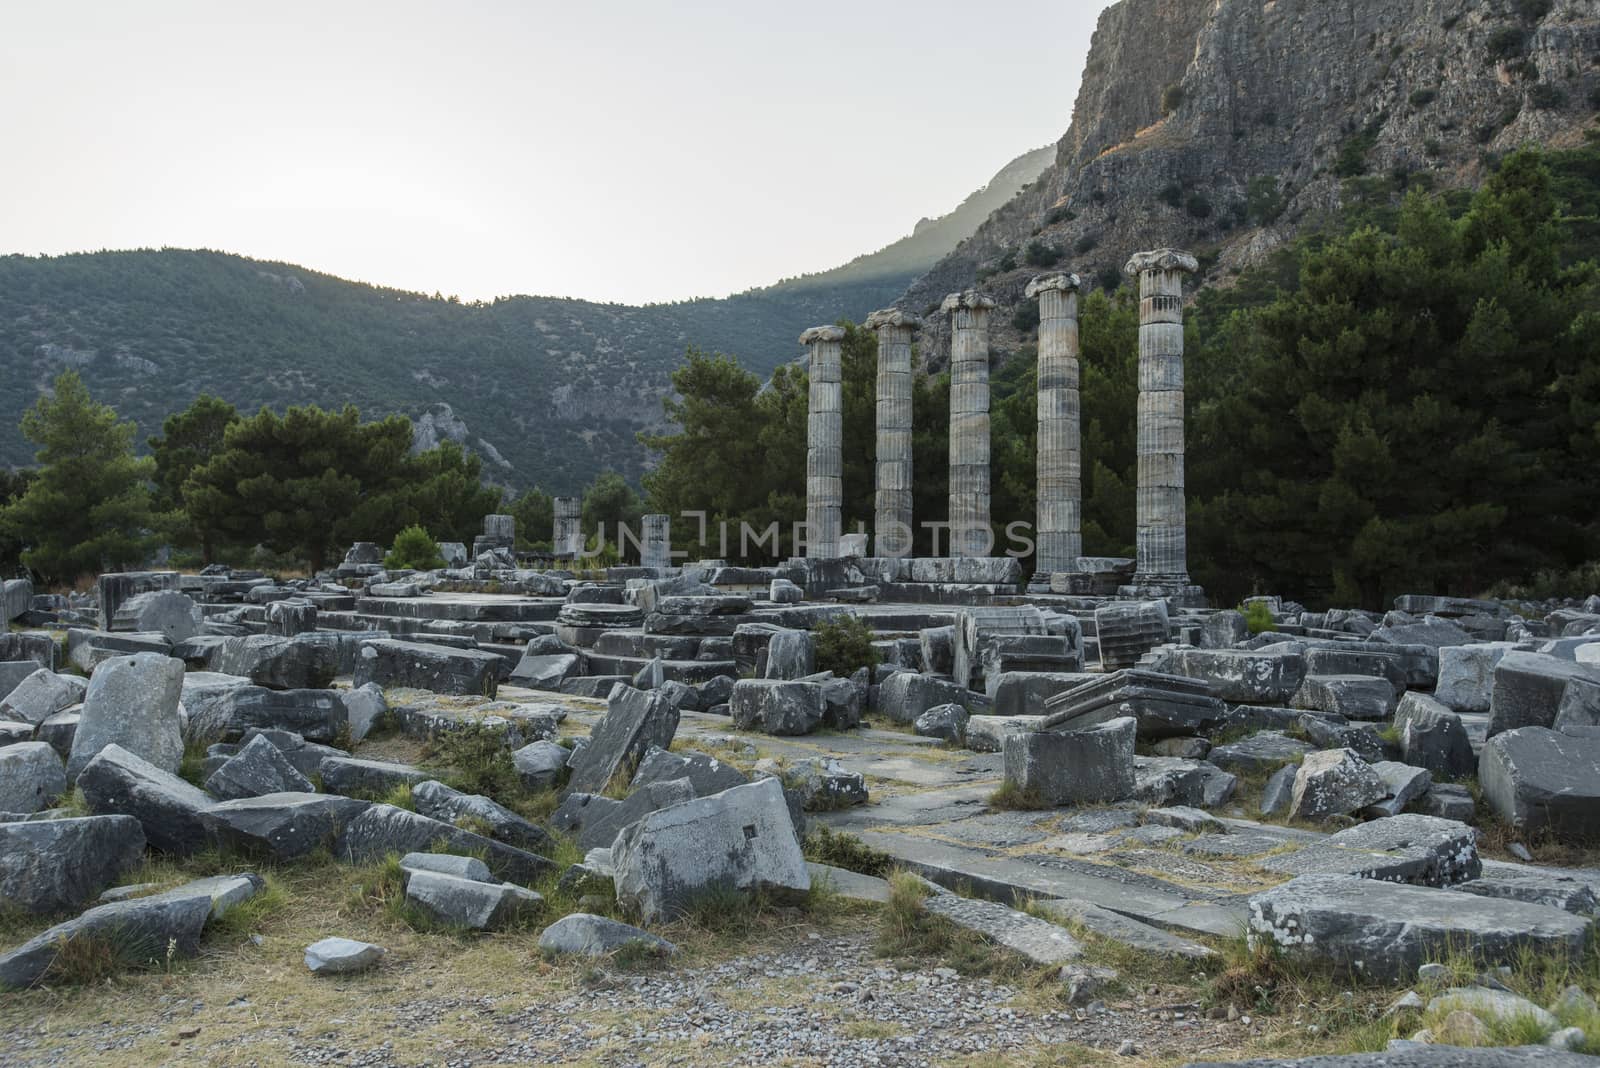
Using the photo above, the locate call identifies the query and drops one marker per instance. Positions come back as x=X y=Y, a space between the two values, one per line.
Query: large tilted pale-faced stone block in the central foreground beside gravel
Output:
x=740 y=839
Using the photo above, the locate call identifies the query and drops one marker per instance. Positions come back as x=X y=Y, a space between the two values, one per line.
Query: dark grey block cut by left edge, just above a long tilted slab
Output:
x=54 y=866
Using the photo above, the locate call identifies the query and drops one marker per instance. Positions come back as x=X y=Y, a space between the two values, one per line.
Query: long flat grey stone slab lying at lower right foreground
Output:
x=1338 y=920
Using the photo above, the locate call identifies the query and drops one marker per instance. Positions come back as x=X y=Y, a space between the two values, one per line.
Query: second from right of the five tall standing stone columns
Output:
x=1060 y=492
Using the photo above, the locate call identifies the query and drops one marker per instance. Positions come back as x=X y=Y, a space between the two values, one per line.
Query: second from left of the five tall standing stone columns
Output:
x=892 y=517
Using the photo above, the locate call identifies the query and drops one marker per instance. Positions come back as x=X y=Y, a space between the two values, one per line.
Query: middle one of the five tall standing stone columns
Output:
x=970 y=533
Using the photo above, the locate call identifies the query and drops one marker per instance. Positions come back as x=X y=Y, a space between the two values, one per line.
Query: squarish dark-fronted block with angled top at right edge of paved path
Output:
x=1074 y=767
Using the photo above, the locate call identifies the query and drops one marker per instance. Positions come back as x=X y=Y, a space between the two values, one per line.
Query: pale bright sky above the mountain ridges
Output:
x=618 y=151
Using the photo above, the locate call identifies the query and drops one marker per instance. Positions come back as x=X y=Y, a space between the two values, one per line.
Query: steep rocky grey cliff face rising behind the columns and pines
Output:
x=1228 y=126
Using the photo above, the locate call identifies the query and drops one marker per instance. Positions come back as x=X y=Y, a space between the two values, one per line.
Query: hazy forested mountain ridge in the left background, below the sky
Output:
x=546 y=391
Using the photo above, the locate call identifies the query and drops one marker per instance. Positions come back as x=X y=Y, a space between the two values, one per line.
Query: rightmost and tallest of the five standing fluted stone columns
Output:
x=1162 y=538
